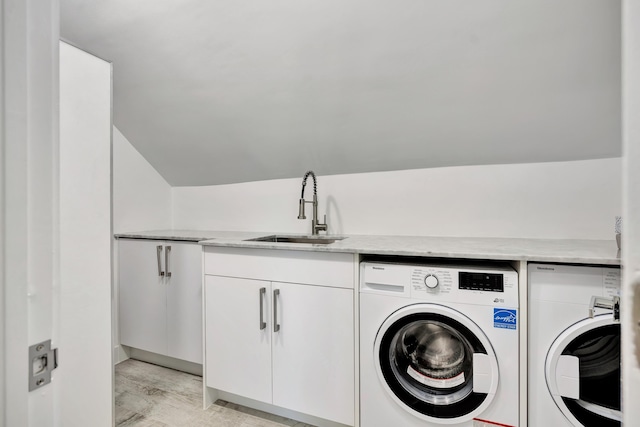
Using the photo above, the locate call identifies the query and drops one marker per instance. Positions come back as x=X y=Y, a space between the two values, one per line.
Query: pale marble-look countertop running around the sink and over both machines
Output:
x=577 y=251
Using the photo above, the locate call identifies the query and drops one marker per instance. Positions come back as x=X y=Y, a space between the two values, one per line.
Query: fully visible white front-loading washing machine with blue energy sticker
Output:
x=438 y=345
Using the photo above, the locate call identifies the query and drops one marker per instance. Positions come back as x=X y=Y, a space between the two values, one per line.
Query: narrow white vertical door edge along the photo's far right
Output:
x=631 y=212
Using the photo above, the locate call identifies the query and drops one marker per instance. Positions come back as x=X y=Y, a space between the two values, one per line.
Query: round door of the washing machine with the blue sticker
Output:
x=436 y=363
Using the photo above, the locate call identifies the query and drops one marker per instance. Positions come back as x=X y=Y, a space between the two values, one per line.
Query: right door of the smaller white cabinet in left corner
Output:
x=184 y=301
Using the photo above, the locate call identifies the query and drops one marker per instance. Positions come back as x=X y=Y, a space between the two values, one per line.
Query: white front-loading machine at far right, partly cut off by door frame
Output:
x=574 y=346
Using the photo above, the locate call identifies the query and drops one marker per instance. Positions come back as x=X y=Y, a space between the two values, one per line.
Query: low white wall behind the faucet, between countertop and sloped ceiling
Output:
x=577 y=199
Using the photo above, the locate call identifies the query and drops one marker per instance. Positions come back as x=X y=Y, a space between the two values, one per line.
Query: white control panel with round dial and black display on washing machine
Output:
x=473 y=284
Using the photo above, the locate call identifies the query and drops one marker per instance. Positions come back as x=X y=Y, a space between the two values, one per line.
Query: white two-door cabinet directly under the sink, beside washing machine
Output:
x=290 y=344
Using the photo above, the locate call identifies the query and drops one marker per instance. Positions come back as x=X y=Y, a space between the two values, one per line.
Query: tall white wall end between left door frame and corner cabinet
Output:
x=85 y=377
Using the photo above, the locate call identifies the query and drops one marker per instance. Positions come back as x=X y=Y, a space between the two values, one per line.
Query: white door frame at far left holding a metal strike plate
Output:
x=28 y=195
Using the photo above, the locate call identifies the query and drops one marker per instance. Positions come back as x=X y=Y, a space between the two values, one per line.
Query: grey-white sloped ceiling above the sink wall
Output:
x=214 y=92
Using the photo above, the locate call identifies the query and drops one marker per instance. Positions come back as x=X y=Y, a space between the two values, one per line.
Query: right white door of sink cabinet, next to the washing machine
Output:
x=313 y=352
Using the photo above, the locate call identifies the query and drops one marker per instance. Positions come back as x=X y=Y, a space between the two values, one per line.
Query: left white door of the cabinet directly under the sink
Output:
x=238 y=343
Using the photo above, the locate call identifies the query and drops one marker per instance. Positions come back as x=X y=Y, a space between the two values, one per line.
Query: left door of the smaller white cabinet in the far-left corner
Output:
x=142 y=299
